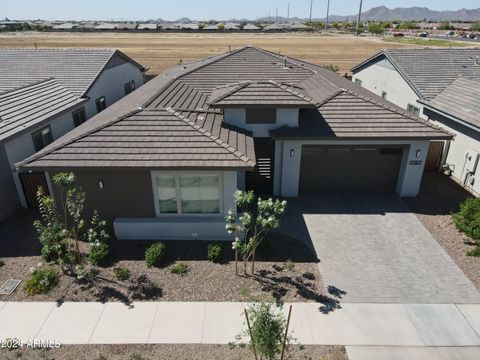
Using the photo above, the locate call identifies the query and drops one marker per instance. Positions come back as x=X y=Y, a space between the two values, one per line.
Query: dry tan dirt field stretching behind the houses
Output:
x=161 y=51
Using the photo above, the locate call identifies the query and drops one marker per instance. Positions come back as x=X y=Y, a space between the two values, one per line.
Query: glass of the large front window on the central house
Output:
x=188 y=194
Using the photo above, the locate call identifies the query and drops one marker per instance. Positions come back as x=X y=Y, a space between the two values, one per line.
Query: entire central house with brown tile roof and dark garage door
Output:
x=165 y=161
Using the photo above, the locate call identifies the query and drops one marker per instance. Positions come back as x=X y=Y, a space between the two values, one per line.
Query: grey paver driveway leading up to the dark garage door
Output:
x=374 y=249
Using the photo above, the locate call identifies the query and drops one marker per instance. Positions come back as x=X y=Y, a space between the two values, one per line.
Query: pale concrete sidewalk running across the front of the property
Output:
x=397 y=325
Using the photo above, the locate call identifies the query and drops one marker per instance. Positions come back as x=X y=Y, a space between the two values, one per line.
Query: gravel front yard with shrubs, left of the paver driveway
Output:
x=205 y=281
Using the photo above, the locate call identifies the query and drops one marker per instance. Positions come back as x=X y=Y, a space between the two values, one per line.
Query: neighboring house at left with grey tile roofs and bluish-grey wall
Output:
x=44 y=94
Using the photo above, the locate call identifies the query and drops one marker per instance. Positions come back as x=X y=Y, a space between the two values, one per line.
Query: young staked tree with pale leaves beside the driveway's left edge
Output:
x=251 y=227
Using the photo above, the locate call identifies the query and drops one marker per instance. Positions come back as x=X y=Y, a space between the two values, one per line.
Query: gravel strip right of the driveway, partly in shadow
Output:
x=439 y=197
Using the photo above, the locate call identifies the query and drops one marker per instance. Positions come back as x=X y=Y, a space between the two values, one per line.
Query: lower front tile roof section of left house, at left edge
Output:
x=31 y=105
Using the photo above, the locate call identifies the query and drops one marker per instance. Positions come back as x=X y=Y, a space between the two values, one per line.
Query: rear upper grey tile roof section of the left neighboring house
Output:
x=75 y=69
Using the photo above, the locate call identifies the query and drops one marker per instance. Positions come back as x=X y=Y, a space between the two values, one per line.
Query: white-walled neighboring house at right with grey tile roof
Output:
x=440 y=85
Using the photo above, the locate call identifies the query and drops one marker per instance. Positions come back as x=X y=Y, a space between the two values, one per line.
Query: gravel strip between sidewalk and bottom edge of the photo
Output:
x=167 y=352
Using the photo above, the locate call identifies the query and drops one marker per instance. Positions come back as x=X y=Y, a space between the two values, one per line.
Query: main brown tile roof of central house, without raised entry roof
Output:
x=185 y=91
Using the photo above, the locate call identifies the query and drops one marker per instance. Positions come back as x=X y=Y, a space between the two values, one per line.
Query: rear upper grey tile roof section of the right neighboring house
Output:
x=429 y=71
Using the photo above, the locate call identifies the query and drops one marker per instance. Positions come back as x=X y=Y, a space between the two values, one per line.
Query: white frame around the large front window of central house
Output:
x=177 y=175
